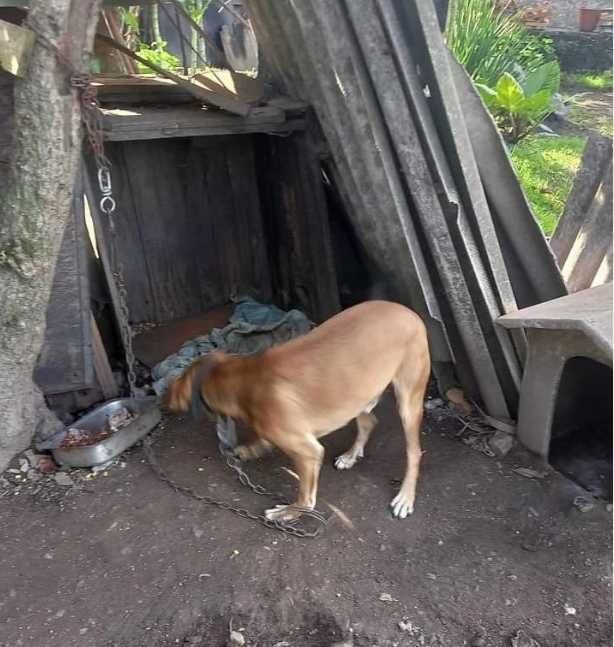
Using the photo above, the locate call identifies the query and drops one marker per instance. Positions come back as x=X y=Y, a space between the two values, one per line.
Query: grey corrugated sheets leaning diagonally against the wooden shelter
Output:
x=385 y=91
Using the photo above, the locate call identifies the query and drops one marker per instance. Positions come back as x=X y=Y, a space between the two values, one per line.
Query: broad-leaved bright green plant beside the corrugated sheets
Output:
x=520 y=104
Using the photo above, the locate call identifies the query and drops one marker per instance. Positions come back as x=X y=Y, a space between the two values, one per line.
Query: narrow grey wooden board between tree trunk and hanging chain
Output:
x=66 y=362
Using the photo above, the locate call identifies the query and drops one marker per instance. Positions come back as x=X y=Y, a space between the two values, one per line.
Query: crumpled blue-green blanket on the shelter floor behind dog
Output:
x=253 y=328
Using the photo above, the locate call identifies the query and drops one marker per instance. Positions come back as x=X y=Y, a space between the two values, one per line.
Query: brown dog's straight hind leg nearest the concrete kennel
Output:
x=410 y=387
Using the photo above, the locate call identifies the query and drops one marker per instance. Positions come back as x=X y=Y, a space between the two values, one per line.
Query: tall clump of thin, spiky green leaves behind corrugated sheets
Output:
x=488 y=43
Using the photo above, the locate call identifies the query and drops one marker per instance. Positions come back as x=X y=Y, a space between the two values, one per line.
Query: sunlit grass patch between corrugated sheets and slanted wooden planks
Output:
x=546 y=167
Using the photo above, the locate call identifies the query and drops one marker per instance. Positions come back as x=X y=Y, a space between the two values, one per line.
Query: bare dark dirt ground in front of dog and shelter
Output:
x=122 y=560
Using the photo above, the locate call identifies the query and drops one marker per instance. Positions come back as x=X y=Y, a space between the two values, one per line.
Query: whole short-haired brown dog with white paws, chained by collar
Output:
x=294 y=393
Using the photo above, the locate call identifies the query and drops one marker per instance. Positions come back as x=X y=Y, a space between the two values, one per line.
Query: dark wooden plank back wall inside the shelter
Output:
x=189 y=226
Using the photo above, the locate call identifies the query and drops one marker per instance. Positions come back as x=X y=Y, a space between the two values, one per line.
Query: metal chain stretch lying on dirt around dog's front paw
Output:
x=287 y=528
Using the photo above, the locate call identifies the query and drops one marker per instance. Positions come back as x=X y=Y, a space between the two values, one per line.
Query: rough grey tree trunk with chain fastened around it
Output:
x=35 y=208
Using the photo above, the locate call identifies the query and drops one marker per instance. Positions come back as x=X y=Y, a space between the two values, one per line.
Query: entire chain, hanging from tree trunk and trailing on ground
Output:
x=91 y=116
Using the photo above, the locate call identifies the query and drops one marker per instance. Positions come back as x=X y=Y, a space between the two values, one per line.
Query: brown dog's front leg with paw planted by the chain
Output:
x=307 y=455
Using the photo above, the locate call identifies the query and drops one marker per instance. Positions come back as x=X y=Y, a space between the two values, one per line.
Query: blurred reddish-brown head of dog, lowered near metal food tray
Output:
x=186 y=392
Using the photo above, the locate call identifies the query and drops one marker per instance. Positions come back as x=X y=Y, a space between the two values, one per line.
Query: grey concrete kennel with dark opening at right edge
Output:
x=578 y=325
